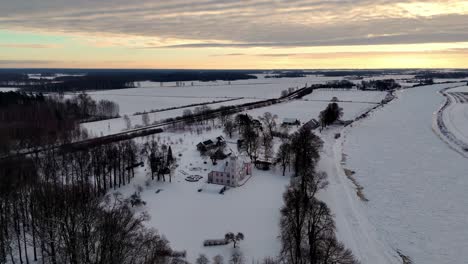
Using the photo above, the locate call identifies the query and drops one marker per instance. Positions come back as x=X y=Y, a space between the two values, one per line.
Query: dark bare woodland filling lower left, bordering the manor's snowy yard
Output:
x=53 y=208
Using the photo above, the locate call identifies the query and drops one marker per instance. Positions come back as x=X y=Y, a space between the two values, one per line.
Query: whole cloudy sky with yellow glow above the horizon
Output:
x=233 y=34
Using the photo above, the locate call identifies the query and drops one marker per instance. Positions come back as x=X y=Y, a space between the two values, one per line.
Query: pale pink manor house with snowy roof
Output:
x=230 y=173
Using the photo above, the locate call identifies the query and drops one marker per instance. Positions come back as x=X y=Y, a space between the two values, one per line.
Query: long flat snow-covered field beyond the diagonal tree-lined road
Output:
x=153 y=95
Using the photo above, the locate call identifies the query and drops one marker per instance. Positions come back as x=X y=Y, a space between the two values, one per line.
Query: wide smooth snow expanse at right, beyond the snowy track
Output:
x=415 y=183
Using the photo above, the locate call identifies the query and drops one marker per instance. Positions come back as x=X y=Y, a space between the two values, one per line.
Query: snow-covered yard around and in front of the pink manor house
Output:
x=188 y=217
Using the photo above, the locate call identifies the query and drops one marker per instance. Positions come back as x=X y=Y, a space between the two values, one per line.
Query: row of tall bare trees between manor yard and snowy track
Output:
x=307 y=226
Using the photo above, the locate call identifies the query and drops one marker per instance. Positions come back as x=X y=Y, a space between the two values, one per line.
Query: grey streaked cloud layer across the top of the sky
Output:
x=249 y=23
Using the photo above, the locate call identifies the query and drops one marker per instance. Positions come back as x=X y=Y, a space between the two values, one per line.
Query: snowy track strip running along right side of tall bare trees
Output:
x=352 y=222
